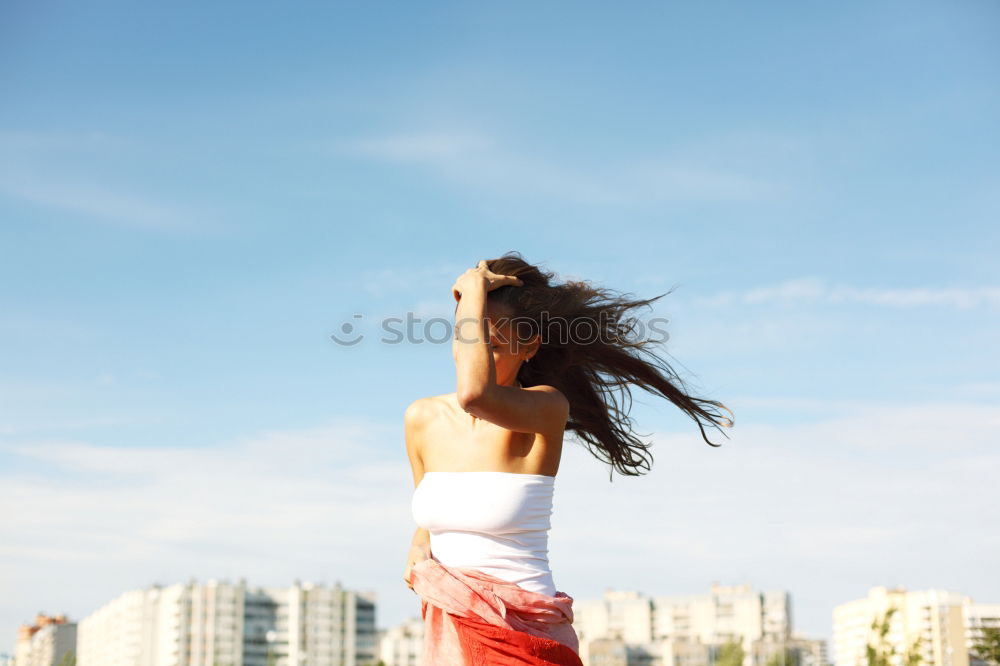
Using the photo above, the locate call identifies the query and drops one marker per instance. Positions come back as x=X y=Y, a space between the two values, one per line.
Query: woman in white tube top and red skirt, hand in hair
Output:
x=533 y=360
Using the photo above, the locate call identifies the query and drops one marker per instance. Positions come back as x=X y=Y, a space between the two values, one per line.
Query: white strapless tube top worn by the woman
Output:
x=496 y=522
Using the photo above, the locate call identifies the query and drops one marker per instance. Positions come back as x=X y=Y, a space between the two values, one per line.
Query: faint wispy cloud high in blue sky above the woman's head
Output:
x=477 y=159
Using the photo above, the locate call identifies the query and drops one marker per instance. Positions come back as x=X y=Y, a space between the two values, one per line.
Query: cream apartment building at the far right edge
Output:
x=936 y=624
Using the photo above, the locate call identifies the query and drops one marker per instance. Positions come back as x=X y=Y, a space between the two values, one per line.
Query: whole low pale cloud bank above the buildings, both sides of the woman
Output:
x=823 y=509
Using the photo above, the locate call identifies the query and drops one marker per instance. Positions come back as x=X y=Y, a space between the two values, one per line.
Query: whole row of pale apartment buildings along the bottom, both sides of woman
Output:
x=161 y=621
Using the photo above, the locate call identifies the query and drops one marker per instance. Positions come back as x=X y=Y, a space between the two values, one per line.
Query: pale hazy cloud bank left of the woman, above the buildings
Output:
x=323 y=503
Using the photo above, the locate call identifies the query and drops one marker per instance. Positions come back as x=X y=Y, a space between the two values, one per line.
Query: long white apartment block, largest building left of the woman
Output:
x=223 y=624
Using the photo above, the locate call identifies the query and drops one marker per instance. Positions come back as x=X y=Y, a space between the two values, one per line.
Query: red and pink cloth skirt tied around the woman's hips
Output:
x=472 y=618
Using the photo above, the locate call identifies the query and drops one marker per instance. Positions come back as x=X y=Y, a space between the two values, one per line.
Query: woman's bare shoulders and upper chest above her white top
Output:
x=451 y=440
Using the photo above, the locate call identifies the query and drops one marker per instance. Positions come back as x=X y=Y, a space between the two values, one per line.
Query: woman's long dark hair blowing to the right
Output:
x=589 y=351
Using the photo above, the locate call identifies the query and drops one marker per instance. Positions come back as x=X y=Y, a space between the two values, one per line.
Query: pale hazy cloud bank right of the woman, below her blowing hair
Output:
x=875 y=494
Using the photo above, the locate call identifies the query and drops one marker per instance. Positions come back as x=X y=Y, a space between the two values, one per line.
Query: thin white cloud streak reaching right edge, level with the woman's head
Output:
x=812 y=290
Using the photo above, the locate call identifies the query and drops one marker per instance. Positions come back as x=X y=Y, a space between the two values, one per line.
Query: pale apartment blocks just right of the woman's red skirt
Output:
x=626 y=628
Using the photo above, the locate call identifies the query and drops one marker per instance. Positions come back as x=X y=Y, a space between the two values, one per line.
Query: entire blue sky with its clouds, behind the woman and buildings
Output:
x=193 y=198
